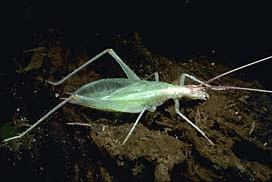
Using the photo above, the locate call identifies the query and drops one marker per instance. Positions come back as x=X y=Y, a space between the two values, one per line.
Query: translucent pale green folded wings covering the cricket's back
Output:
x=123 y=95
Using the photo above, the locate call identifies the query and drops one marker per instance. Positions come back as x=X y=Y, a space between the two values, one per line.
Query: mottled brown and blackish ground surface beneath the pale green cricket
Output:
x=163 y=147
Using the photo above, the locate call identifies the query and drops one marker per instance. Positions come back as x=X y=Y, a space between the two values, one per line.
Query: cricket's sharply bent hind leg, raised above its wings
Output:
x=130 y=74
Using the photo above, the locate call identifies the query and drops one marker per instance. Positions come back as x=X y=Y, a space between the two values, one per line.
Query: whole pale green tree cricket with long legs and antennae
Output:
x=133 y=95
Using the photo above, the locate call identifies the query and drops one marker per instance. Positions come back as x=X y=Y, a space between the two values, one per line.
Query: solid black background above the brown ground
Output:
x=239 y=32
